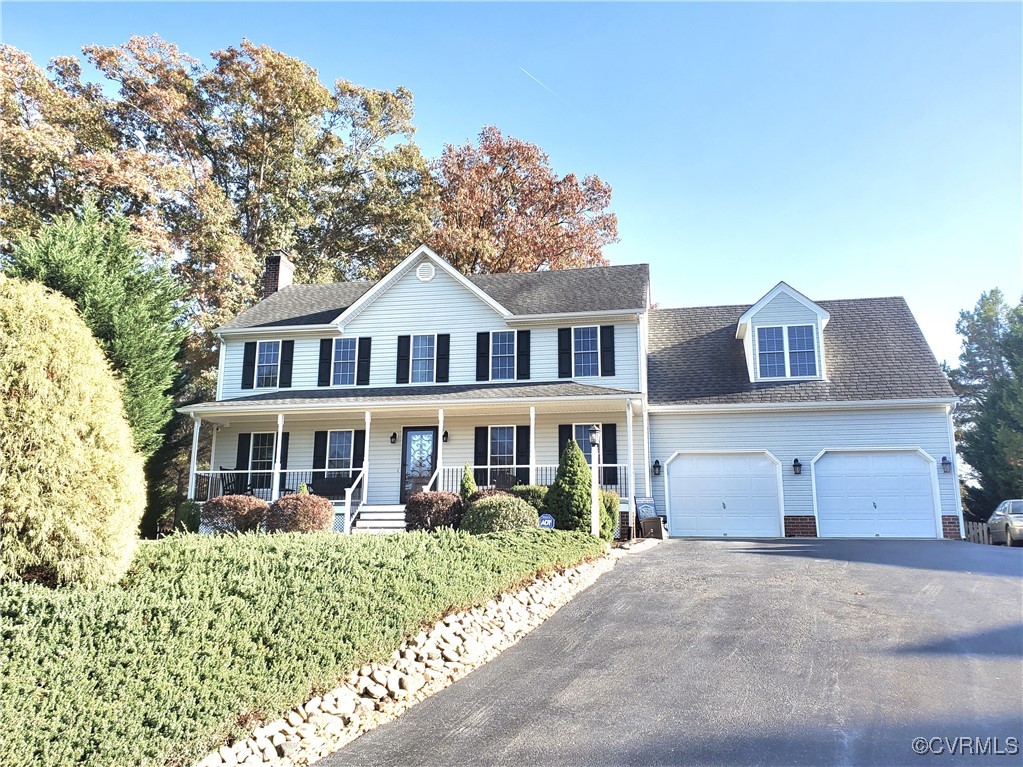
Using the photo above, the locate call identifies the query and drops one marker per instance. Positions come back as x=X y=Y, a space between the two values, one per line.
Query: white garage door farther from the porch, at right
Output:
x=875 y=494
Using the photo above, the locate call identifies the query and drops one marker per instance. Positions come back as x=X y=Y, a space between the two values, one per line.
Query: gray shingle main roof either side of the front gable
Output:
x=566 y=291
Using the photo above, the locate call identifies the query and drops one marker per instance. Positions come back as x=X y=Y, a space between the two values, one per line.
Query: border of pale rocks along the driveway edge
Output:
x=421 y=667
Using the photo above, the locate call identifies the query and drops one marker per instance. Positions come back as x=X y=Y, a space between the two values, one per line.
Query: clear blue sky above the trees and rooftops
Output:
x=851 y=150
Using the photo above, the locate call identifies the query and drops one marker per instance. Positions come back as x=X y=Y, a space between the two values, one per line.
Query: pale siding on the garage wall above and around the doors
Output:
x=804 y=435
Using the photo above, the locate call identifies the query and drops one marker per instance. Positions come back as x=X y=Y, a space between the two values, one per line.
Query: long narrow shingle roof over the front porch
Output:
x=452 y=393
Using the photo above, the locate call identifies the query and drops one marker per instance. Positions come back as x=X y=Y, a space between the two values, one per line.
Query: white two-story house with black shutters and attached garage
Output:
x=787 y=418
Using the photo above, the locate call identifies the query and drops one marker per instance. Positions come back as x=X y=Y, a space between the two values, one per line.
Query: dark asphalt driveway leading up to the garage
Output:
x=732 y=653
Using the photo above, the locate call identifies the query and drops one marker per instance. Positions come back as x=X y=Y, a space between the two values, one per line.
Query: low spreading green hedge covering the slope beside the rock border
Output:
x=209 y=635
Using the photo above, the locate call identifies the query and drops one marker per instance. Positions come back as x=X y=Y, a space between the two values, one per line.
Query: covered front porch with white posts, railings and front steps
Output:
x=370 y=461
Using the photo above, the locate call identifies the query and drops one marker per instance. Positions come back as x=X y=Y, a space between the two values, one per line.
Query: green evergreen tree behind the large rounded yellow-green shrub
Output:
x=131 y=305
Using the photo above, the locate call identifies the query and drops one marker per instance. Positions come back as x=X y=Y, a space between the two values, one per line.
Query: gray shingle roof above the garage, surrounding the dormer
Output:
x=874 y=350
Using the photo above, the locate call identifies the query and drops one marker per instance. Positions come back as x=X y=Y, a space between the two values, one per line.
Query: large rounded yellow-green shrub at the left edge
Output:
x=72 y=490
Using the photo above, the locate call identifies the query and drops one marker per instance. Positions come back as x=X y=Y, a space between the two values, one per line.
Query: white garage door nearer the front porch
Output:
x=724 y=494
